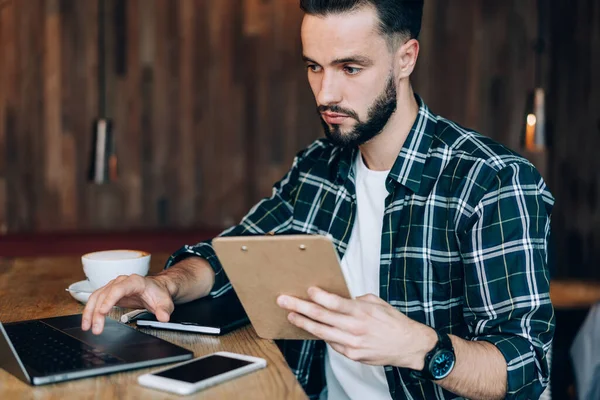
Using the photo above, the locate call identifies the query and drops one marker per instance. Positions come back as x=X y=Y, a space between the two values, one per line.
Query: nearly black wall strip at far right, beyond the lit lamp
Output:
x=575 y=110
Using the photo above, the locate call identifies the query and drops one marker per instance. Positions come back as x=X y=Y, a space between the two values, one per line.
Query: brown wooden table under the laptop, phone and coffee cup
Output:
x=35 y=288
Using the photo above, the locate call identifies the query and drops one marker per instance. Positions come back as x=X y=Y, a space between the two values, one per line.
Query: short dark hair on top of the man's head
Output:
x=397 y=17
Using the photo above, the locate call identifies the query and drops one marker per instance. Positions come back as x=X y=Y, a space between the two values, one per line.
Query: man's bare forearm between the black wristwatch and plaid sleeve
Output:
x=479 y=373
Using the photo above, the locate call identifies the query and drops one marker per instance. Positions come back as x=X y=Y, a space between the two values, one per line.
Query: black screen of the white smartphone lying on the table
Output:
x=204 y=368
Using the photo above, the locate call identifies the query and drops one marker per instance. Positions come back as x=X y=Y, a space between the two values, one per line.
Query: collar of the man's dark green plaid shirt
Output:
x=408 y=167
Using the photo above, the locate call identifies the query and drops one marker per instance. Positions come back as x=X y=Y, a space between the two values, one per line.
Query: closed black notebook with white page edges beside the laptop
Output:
x=213 y=316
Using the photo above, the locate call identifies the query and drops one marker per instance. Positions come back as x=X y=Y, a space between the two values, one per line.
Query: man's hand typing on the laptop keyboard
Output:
x=132 y=291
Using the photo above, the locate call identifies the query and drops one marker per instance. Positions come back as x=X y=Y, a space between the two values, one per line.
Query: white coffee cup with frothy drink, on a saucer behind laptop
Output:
x=101 y=267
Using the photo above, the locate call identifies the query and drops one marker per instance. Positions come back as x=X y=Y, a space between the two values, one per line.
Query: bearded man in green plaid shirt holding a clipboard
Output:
x=442 y=232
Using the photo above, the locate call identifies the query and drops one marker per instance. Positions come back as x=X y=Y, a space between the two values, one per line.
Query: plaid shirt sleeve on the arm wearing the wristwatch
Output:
x=506 y=279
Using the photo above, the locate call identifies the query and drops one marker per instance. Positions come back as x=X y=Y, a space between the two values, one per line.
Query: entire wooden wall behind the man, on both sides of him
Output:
x=210 y=103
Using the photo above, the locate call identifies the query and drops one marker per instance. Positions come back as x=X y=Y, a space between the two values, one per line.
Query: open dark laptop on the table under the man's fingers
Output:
x=53 y=350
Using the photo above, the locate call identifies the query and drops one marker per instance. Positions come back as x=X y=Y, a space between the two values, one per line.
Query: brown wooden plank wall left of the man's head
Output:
x=208 y=98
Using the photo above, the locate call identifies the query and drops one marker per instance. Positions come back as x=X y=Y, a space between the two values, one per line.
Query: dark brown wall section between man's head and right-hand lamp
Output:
x=477 y=63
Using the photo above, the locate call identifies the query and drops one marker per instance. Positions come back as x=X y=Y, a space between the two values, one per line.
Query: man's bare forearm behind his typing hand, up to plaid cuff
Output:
x=188 y=280
